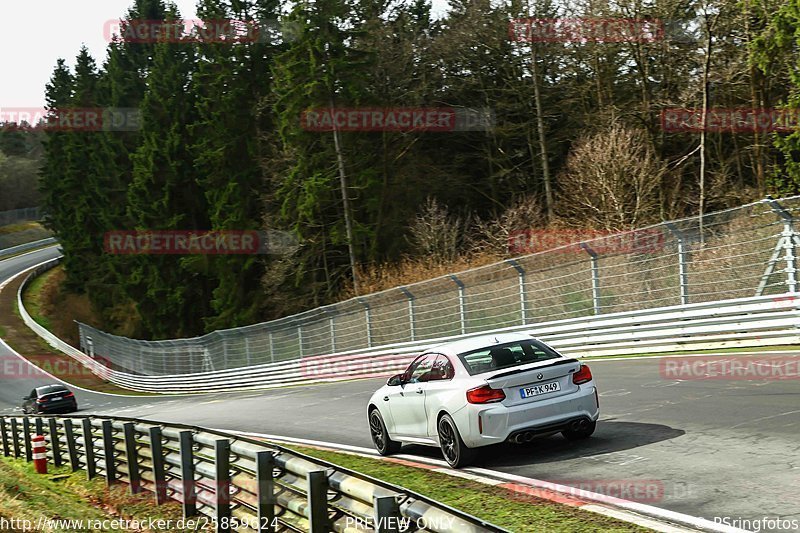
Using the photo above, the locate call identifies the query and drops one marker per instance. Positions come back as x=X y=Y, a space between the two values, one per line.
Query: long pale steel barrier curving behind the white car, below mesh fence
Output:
x=741 y=322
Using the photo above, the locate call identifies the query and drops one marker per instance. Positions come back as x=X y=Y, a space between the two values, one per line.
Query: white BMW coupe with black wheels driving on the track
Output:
x=475 y=392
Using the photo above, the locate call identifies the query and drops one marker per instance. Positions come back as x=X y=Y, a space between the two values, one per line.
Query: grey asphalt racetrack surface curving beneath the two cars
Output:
x=718 y=448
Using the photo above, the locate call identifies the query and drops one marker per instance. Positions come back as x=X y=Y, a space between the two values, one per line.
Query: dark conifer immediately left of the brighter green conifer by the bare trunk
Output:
x=231 y=80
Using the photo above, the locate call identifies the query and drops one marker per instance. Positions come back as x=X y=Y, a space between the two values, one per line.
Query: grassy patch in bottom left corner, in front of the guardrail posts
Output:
x=64 y=495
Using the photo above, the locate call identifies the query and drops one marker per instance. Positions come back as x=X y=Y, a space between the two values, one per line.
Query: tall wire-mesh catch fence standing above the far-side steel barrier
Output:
x=738 y=253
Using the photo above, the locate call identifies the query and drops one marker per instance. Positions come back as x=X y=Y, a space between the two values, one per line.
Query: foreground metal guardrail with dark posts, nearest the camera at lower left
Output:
x=238 y=483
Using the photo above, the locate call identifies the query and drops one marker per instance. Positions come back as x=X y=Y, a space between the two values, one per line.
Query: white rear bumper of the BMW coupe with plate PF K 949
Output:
x=482 y=425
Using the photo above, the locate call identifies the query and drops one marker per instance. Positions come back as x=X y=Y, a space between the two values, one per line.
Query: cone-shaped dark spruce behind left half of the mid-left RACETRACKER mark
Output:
x=164 y=195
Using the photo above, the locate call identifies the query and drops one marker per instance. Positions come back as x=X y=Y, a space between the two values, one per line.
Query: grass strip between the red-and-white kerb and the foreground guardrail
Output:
x=513 y=511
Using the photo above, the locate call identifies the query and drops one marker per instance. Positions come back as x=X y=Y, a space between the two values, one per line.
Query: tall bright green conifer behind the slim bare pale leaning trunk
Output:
x=320 y=69
